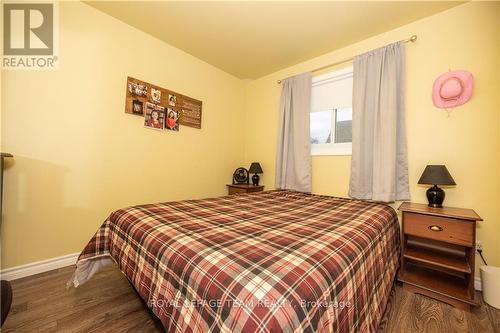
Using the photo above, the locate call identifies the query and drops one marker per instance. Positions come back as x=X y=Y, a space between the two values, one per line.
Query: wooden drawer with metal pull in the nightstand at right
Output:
x=439 y=228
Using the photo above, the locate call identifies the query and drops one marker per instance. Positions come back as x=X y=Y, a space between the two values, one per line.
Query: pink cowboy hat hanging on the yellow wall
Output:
x=452 y=89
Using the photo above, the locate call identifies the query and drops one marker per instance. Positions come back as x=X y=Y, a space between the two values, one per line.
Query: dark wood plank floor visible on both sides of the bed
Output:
x=107 y=303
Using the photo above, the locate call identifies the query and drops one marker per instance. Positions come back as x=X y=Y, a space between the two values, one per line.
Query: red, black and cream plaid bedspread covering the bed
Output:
x=276 y=261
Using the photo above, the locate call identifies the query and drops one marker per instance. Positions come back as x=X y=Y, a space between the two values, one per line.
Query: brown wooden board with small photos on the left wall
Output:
x=140 y=93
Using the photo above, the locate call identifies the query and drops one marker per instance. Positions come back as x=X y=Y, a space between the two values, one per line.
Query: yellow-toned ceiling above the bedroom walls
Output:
x=252 y=39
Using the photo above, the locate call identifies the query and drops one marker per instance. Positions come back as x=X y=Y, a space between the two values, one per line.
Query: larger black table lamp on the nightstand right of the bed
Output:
x=436 y=175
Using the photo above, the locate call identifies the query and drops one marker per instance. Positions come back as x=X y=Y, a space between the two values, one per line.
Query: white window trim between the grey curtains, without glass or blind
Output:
x=332 y=149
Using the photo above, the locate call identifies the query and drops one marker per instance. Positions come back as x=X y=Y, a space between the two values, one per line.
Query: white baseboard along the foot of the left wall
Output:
x=37 y=267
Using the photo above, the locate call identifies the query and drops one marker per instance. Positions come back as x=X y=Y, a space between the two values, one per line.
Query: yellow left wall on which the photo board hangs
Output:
x=78 y=156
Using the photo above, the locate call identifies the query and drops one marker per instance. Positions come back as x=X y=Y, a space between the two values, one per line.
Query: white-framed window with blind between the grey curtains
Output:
x=331 y=113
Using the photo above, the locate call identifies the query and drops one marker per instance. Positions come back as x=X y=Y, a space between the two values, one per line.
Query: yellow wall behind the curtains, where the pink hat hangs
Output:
x=464 y=37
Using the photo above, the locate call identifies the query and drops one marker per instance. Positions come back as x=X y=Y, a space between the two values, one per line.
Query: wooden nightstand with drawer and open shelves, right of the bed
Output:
x=438 y=252
